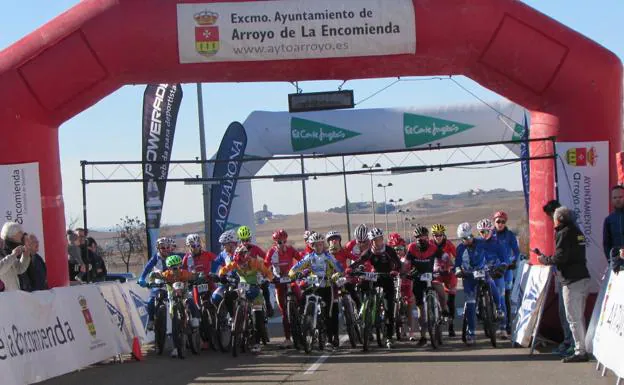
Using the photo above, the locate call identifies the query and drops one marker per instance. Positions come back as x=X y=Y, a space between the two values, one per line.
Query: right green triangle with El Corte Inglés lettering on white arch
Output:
x=420 y=129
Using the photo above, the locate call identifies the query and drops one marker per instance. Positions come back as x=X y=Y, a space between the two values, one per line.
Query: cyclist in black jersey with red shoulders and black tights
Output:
x=422 y=255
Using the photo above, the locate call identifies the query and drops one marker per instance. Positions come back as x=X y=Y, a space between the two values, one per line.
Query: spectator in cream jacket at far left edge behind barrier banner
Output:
x=17 y=255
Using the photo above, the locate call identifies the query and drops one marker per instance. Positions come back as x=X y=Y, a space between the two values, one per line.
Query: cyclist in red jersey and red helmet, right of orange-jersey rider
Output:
x=282 y=257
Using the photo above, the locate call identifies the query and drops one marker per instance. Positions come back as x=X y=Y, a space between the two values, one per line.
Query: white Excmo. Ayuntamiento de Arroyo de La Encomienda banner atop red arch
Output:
x=296 y=29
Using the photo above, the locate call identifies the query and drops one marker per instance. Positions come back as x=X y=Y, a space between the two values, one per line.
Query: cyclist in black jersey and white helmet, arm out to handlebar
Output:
x=384 y=260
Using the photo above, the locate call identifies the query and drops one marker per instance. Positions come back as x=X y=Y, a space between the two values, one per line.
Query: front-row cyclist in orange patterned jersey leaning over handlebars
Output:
x=248 y=268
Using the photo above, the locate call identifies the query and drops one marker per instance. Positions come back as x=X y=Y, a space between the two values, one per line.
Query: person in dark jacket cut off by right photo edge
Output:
x=613 y=229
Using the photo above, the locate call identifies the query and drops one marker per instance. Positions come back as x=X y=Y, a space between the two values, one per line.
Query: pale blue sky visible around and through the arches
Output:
x=111 y=129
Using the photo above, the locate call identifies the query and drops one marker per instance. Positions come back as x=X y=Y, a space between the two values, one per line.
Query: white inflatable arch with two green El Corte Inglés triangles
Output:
x=357 y=130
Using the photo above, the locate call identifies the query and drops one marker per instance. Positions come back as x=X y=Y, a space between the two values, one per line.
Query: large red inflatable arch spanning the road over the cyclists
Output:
x=572 y=86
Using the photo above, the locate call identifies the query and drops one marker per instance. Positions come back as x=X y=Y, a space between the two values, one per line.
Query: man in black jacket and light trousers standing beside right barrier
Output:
x=569 y=258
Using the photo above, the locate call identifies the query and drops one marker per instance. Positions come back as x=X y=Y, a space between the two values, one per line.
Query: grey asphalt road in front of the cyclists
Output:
x=453 y=363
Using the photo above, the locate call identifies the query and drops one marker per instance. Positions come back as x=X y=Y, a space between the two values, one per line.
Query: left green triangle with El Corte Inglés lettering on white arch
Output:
x=306 y=134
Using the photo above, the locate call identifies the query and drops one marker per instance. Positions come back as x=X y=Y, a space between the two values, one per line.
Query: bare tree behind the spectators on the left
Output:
x=130 y=239
